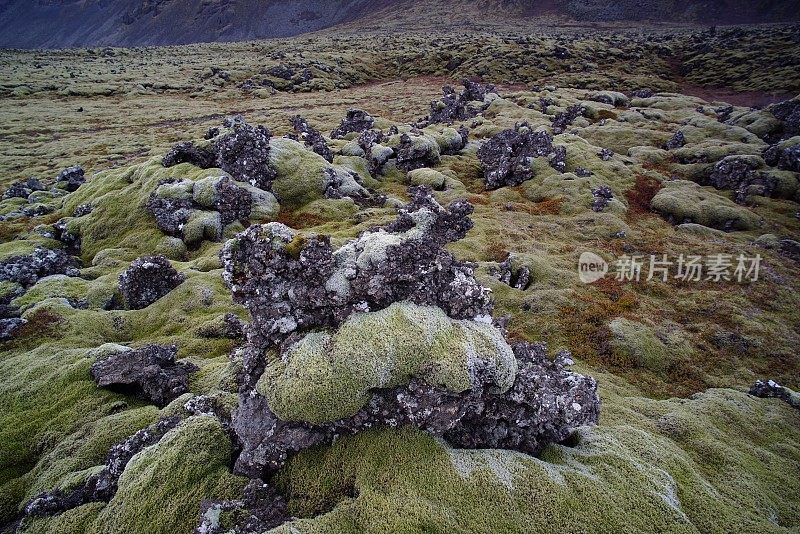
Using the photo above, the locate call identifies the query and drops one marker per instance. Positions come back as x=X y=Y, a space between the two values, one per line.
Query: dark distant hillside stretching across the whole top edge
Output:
x=72 y=23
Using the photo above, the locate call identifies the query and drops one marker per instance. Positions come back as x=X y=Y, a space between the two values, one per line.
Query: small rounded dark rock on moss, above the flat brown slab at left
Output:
x=148 y=279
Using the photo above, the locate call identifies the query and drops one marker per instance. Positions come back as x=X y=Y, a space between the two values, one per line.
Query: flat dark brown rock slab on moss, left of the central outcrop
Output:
x=150 y=372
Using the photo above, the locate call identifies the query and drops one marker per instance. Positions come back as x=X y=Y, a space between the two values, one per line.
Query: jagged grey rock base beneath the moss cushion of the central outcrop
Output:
x=546 y=403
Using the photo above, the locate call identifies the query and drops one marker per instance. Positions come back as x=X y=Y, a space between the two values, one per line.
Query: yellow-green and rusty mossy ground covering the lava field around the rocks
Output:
x=717 y=462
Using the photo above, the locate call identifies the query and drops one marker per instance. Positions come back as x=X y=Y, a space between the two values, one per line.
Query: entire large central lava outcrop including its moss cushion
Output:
x=321 y=315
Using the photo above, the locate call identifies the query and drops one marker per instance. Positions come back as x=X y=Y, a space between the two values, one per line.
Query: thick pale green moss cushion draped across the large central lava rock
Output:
x=328 y=376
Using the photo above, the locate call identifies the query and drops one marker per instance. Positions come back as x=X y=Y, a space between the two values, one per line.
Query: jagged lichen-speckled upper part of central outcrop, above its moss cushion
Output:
x=311 y=285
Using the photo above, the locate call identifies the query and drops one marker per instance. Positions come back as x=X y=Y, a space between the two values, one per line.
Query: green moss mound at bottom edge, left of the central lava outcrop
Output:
x=161 y=487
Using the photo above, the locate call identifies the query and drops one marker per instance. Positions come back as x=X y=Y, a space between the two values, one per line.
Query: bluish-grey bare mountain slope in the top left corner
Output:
x=68 y=23
